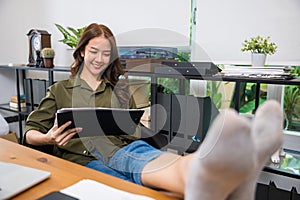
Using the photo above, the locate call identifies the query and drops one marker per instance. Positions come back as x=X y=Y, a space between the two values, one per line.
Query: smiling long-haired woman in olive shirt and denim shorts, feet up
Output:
x=95 y=82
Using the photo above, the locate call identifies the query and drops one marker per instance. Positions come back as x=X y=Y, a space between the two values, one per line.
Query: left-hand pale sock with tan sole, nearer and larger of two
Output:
x=224 y=159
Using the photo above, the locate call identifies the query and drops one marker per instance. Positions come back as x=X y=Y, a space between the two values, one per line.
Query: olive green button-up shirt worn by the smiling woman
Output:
x=75 y=92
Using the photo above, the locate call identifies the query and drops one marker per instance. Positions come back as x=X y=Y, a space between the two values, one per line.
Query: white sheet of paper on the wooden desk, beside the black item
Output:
x=90 y=189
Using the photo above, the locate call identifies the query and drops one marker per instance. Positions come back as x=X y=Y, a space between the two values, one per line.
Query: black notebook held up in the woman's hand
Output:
x=101 y=121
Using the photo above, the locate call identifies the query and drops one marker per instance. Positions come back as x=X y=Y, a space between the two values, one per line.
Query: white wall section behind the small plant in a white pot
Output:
x=222 y=26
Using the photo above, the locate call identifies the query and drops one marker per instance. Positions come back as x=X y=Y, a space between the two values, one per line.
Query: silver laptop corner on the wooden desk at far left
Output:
x=14 y=178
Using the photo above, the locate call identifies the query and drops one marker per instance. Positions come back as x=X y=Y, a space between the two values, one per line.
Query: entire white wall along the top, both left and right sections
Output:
x=221 y=25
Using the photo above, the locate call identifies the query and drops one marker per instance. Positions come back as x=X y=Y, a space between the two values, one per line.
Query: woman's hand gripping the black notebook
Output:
x=58 y=135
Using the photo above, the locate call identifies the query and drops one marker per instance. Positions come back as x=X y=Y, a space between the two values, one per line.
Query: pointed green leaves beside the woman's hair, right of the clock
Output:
x=71 y=35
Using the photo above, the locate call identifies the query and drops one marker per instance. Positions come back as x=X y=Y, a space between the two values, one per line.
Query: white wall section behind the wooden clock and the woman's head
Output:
x=134 y=22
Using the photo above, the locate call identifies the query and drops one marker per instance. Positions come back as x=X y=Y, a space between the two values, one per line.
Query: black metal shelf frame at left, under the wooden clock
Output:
x=20 y=75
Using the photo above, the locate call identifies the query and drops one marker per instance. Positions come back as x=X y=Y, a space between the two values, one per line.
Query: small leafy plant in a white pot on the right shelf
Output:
x=259 y=47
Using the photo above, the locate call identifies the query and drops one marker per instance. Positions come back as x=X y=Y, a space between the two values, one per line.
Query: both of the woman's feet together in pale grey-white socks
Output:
x=235 y=150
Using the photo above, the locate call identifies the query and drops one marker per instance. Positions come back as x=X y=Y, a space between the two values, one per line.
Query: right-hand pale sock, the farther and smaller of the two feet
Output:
x=267 y=136
